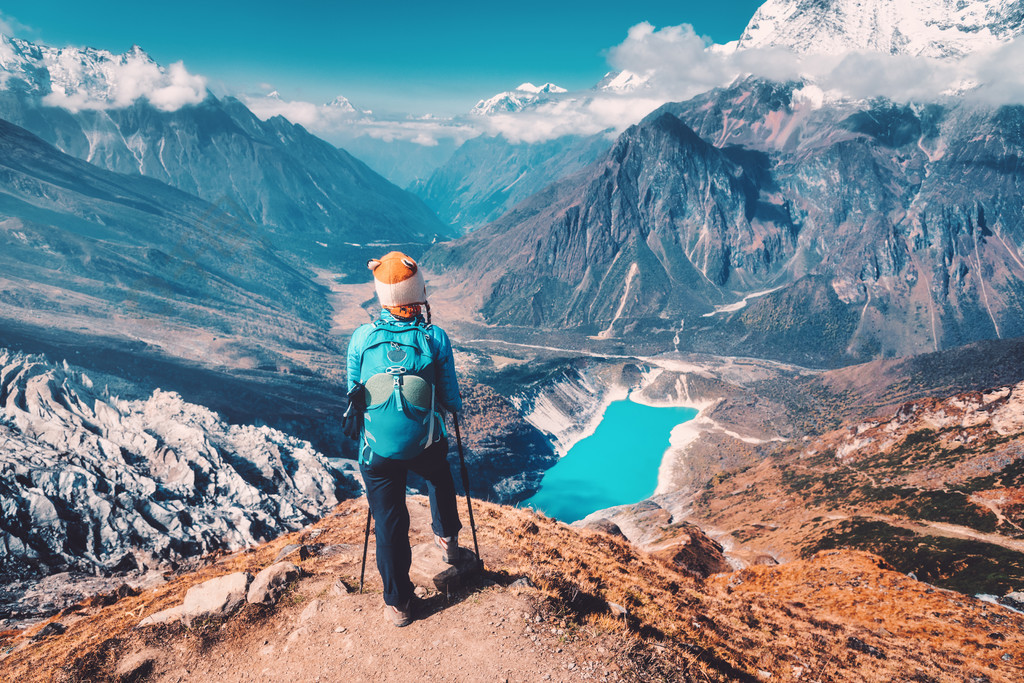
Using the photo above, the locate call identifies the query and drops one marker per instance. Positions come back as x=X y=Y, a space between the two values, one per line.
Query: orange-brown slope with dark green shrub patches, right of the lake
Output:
x=934 y=488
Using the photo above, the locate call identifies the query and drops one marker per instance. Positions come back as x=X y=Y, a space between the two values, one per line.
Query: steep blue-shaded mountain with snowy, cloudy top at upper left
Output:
x=313 y=199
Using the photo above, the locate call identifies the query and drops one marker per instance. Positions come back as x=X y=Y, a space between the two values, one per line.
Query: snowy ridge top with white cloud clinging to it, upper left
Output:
x=89 y=78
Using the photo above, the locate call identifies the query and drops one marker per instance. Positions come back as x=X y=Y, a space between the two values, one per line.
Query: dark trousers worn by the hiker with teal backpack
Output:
x=386 y=483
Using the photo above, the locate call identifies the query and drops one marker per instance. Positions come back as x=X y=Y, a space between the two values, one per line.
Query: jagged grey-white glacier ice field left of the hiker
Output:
x=95 y=484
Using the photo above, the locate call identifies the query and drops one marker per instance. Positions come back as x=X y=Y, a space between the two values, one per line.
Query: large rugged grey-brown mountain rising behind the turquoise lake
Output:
x=753 y=222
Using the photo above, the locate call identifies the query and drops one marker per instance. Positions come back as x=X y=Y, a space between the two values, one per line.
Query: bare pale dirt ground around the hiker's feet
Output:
x=484 y=633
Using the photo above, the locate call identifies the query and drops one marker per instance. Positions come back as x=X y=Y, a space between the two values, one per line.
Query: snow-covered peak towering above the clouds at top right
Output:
x=920 y=28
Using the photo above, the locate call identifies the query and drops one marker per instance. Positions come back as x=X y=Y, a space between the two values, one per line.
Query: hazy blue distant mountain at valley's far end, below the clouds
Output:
x=488 y=176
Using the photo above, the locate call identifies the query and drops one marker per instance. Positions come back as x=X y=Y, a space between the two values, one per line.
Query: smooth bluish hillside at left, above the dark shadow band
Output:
x=84 y=248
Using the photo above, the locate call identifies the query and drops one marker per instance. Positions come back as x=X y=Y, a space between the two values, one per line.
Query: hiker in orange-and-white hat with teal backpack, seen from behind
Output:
x=404 y=367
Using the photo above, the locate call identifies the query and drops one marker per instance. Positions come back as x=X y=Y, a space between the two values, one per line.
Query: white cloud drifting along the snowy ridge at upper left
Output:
x=97 y=80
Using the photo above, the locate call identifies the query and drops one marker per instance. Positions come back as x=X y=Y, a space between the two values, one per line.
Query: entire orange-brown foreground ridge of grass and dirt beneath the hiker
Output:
x=601 y=610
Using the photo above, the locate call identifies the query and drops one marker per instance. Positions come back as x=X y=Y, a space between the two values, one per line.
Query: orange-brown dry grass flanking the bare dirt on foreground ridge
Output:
x=842 y=616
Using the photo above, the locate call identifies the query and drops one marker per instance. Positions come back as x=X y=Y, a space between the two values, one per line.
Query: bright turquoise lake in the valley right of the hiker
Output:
x=616 y=465
